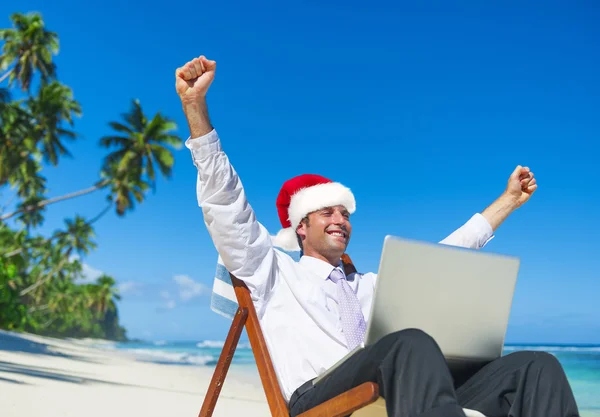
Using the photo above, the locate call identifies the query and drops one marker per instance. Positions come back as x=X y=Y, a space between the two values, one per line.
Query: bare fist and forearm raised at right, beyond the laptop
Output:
x=521 y=185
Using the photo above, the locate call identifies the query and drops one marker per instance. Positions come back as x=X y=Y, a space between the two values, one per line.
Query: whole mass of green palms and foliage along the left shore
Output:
x=41 y=287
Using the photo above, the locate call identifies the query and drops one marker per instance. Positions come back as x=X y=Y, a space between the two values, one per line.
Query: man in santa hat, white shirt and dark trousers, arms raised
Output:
x=312 y=314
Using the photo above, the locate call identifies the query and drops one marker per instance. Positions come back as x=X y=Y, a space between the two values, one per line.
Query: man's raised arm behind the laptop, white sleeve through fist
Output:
x=481 y=227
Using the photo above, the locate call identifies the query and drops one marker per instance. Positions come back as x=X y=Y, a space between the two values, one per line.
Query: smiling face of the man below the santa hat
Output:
x=327 y=232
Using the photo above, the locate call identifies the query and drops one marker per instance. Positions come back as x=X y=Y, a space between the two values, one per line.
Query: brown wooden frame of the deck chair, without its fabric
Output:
x=339 y=406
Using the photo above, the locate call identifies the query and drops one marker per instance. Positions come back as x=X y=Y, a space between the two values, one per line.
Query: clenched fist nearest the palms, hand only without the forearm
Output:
x=194 y=78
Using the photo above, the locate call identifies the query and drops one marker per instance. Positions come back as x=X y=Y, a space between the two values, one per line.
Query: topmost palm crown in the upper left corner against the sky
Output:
x=29 y=47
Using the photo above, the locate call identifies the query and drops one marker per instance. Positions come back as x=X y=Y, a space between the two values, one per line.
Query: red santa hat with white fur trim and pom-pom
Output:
x=302 y=195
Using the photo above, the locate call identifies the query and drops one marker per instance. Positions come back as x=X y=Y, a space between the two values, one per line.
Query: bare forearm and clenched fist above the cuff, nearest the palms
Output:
x=192 y=82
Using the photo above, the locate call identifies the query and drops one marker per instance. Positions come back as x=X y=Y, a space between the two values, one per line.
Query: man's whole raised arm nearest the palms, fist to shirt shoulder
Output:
x=242 y=242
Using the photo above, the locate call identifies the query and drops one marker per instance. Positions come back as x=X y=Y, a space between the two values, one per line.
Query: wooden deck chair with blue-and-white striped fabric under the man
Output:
x=360 y=401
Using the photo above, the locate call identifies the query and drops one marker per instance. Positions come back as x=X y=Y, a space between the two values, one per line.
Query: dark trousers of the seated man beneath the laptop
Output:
x=415 y=380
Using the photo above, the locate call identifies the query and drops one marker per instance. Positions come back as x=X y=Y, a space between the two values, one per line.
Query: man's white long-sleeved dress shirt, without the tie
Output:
x=295 y=302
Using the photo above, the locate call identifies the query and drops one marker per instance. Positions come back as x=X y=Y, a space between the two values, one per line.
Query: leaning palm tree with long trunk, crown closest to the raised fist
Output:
x=142 y=148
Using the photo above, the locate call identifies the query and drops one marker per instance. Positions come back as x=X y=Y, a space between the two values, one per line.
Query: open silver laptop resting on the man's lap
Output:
x=461 y=297
